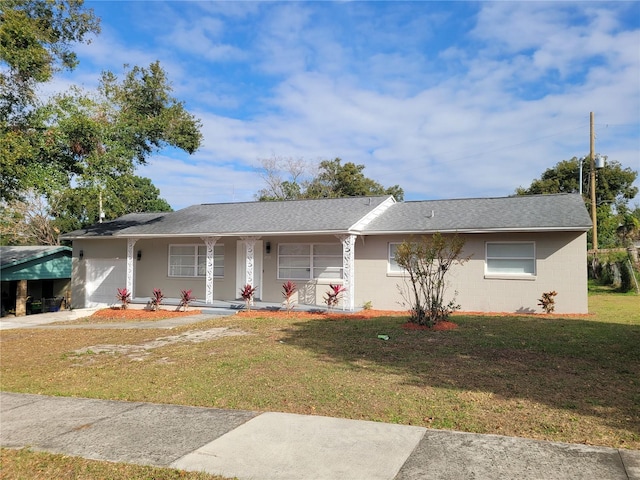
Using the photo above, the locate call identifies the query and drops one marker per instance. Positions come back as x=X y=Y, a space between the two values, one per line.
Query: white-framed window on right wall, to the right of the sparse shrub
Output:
x=511 y=259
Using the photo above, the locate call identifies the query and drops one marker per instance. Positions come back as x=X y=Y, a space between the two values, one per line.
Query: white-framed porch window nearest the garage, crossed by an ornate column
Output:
x=191 y=261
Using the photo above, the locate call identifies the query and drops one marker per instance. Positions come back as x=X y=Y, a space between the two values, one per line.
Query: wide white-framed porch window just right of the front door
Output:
x=306 y=261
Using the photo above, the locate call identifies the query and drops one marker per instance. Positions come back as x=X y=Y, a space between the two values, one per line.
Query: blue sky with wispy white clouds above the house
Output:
x=445 y=99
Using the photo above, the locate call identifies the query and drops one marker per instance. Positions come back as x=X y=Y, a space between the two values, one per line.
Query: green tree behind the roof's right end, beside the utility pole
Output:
x=614 y=190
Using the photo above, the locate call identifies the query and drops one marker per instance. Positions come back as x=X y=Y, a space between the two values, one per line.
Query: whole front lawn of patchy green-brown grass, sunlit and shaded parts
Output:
x=544 y=377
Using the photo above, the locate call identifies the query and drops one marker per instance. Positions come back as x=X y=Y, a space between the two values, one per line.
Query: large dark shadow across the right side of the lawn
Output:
x=587 y=367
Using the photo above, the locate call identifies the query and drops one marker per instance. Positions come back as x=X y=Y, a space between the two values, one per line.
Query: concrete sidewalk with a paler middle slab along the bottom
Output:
x=280 y=446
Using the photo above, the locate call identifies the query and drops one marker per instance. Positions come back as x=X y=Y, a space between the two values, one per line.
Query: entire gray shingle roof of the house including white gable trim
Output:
x=341 y=215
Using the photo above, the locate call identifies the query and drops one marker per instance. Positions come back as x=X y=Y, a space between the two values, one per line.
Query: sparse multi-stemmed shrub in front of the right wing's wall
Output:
x=427 y=263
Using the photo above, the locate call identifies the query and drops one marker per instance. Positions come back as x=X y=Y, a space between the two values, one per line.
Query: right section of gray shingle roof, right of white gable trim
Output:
x=517 y=213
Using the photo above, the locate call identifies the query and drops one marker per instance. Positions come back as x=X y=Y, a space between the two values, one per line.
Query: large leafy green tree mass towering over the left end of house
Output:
x=78 y=146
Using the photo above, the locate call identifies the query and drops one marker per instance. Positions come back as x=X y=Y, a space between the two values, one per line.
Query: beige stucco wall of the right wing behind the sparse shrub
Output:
x=560 y=266
